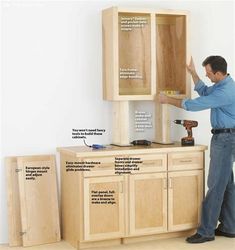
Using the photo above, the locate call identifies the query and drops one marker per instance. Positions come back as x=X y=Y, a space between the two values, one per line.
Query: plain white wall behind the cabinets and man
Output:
x=51 y=73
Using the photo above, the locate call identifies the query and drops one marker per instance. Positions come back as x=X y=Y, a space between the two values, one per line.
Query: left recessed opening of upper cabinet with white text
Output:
x=134 y=32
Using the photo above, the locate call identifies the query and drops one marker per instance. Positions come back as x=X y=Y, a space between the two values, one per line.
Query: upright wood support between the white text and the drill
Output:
x=162 y=124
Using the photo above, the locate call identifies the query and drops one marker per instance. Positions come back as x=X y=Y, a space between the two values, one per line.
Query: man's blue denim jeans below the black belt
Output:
x=219 y=203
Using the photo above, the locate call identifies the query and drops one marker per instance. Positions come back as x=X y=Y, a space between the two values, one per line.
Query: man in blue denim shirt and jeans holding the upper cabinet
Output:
x=219 y=203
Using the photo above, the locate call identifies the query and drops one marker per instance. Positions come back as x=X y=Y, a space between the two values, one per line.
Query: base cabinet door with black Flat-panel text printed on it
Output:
x=103 y=207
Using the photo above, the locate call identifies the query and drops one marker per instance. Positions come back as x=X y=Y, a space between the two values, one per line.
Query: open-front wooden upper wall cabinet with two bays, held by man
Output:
x=144 y=52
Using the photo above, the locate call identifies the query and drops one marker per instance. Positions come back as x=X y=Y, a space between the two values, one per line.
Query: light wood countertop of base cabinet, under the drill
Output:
x=81 y=151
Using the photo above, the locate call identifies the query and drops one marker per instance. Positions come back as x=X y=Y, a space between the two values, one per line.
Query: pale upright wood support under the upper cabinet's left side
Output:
x=121 y=133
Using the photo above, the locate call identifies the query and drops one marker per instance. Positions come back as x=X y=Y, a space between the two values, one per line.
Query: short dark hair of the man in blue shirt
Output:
x=217 y=63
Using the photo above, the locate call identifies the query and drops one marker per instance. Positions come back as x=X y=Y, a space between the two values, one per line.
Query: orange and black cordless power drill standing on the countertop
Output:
x=188 y=124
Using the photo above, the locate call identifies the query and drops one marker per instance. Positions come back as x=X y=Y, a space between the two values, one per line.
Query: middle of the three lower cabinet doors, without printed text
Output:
x=148 y=203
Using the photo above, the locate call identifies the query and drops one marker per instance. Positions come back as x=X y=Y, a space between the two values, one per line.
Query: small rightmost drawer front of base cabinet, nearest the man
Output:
x=185 y=161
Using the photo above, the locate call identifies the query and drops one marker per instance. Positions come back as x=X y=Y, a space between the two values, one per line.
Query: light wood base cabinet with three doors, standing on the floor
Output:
x=162 y=194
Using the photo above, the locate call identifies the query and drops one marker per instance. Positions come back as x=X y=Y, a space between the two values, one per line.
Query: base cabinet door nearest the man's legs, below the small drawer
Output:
x=184 y=199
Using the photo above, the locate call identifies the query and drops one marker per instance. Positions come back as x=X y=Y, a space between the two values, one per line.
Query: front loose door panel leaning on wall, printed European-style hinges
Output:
x=38 y=199
